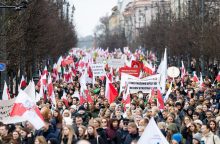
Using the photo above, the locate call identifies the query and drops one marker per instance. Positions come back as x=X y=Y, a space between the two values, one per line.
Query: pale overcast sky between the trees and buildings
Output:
x=88 y=12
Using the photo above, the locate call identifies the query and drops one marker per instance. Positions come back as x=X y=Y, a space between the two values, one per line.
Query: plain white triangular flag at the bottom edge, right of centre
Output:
x=152 y=134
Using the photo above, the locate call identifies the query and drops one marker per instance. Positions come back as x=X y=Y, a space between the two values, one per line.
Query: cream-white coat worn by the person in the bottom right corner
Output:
x=210 y=138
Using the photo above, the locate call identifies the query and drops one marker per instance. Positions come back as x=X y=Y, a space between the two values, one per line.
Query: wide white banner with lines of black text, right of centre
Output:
x=144 y=85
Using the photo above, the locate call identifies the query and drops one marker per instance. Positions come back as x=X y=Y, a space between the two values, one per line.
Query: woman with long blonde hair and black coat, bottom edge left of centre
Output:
x=68 y=135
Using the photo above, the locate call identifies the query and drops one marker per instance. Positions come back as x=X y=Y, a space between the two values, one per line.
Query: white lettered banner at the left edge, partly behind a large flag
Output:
x=5 y=109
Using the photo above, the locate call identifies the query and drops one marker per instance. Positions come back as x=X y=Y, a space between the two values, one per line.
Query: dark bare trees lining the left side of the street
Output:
x=39 y=33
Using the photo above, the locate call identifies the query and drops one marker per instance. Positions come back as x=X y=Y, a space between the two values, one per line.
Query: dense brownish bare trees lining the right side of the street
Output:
x=193 y=33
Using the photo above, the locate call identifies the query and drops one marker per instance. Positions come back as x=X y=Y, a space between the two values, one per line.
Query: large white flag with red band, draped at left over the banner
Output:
x=25 y=107
